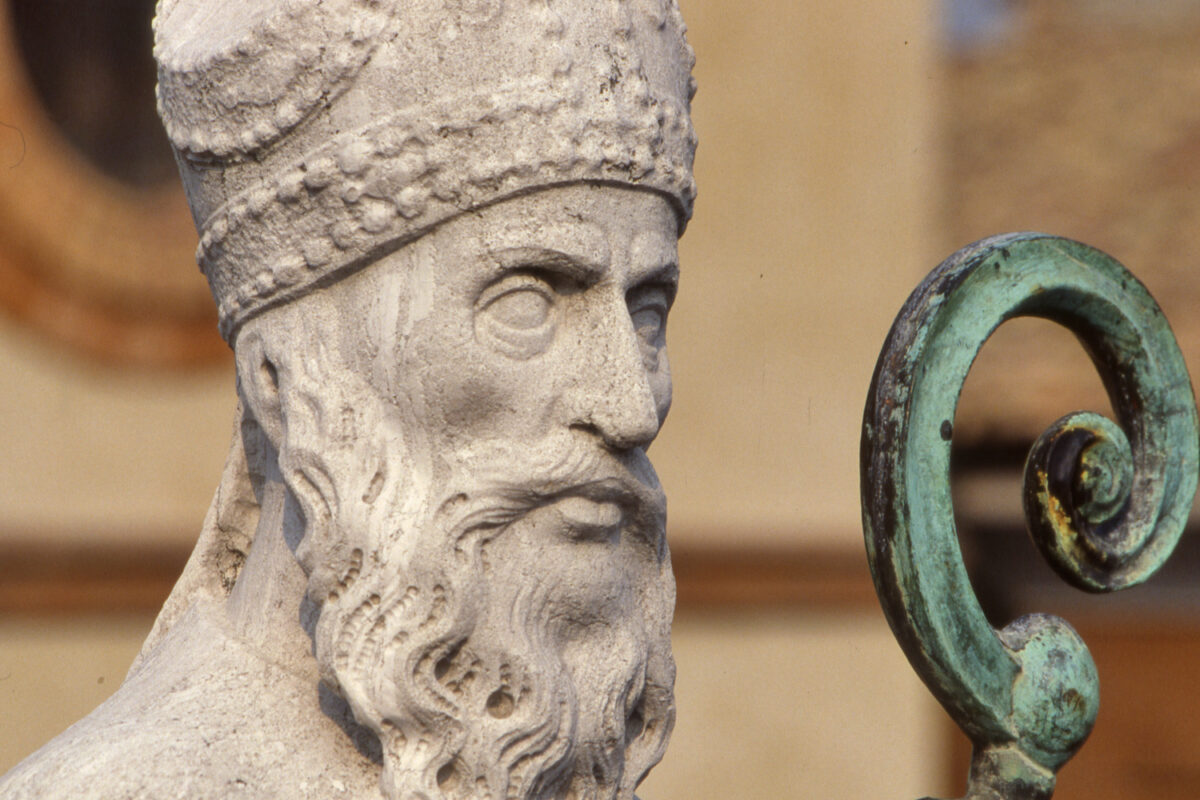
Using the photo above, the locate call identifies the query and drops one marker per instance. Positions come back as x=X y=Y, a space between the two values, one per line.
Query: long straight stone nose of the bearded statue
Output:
x=614 y=398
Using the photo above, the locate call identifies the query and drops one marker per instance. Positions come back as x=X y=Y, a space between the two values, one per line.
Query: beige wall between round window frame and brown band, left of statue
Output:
x=97 y=454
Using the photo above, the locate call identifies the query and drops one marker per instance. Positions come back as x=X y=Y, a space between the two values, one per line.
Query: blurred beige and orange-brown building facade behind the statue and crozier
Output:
x=847 y=147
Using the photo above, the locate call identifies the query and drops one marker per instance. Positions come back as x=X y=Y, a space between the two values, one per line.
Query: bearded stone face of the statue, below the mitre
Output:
x=484 y=533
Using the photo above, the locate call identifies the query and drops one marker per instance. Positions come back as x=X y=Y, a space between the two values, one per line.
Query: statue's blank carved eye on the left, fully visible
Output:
x=517 y=316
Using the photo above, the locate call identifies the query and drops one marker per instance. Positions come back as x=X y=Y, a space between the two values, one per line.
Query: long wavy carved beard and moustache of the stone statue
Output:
x=487 y=670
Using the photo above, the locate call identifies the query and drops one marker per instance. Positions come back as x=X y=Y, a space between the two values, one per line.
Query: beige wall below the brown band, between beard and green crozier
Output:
x=799 y=706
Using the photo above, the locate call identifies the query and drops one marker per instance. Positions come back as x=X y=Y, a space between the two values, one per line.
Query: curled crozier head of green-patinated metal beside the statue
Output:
x=1105 y=503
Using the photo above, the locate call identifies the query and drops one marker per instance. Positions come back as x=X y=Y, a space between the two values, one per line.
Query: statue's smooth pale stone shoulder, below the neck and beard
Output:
x=202 y=717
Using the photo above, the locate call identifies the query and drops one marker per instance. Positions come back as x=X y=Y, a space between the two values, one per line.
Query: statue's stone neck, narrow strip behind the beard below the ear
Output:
x=267 y=607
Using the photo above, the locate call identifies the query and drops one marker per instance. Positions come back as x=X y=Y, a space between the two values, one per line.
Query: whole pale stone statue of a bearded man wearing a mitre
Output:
x=442 y=239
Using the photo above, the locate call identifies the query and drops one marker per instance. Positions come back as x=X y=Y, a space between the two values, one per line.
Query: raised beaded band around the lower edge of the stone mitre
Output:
x=388 y=183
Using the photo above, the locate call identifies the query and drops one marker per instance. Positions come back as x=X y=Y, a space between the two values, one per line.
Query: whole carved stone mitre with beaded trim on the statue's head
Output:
x=316 y=136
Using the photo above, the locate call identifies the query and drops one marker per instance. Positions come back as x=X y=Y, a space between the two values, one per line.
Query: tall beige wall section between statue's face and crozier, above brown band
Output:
x=813 y=224
